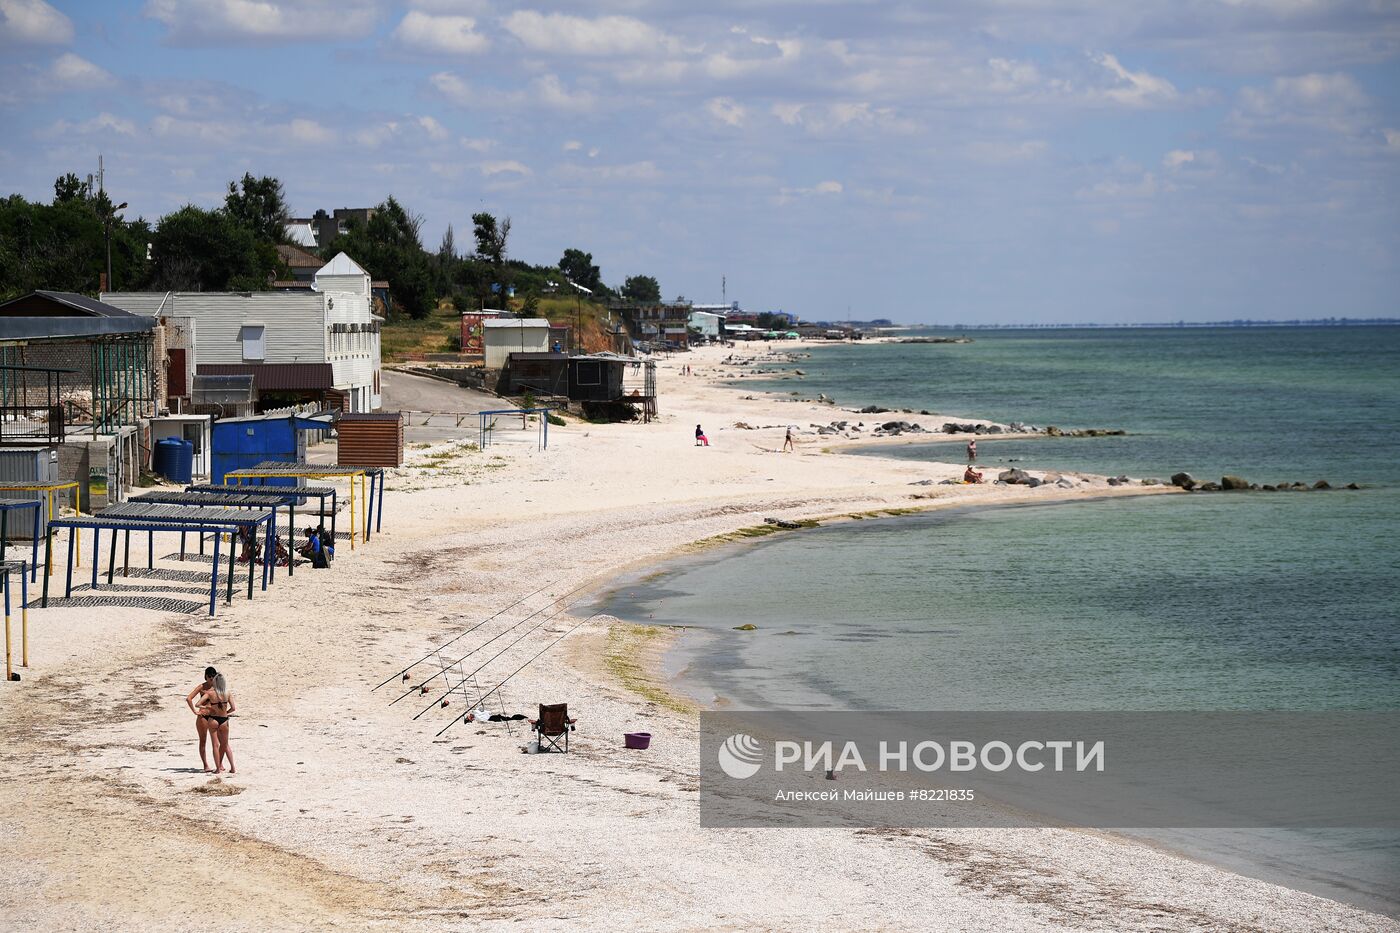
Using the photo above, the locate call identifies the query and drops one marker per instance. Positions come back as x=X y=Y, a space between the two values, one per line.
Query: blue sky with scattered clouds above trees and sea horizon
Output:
x=978 y=162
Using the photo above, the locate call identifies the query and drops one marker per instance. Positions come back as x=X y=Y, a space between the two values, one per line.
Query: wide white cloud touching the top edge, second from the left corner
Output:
x=262 y=22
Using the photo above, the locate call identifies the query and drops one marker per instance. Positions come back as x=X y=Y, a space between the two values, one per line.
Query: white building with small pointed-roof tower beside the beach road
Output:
x=303 y=345
